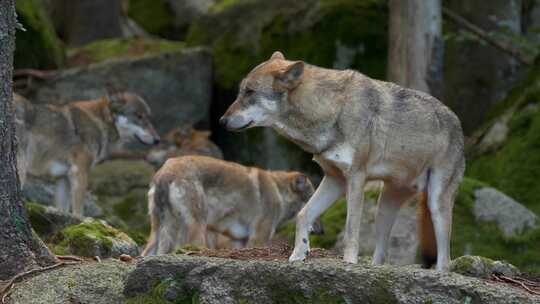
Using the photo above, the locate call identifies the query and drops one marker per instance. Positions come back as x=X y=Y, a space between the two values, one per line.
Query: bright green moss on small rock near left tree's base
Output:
x=83 y=239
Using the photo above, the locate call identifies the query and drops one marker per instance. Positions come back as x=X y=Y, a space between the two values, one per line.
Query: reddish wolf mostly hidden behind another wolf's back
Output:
x=183 y=141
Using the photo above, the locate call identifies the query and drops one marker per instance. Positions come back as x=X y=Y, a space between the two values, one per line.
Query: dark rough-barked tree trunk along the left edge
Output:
x=20 y=248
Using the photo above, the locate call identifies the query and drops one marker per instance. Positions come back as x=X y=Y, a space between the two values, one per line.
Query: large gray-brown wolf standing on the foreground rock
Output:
x=361 y=129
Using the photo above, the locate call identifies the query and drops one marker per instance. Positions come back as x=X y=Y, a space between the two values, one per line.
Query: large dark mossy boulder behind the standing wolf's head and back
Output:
x=242 y=34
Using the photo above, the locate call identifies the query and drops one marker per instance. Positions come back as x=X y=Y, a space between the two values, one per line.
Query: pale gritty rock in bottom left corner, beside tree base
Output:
x=96 y=283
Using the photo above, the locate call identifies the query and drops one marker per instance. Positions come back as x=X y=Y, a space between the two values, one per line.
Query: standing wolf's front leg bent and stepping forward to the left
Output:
x=330 y=189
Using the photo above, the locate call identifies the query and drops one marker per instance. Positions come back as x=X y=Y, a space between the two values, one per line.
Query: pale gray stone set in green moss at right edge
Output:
x=510 y=216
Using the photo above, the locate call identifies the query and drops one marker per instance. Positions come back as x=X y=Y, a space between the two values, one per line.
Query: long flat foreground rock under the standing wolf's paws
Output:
x=210 y=280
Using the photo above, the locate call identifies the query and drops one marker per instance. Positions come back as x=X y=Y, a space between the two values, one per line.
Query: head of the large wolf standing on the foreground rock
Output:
x=264 y=93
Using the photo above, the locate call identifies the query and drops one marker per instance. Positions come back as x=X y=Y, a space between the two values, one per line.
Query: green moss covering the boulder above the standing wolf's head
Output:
x=271 y=28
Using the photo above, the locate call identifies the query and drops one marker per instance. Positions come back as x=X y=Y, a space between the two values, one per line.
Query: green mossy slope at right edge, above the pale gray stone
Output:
x=515 y=167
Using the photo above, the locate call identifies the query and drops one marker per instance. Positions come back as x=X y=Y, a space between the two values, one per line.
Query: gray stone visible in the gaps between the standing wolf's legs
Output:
x=403 y=241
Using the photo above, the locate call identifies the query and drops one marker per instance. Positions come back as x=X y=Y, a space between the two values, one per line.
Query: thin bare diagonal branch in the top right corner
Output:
x=480 y=33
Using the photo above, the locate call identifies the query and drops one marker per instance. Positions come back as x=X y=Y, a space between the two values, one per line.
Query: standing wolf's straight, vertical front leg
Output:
x=355 y=206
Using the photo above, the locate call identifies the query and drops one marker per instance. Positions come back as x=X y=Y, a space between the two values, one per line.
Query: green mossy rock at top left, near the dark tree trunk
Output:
x=37 y=47
